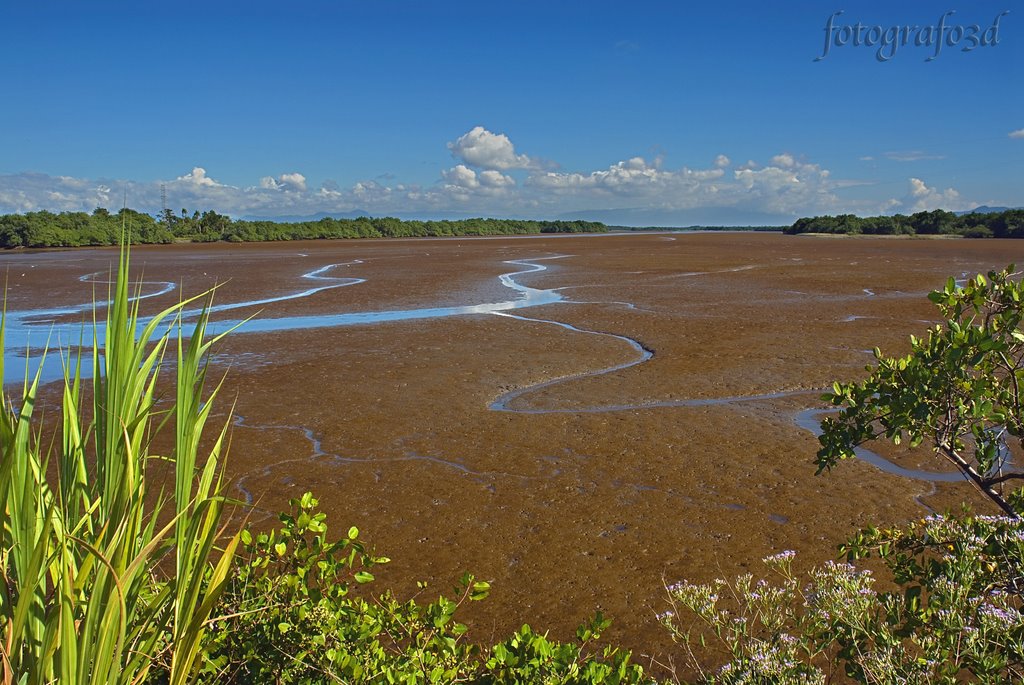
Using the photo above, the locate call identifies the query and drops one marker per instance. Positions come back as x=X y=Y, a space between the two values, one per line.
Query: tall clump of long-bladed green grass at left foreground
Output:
x=88 y=539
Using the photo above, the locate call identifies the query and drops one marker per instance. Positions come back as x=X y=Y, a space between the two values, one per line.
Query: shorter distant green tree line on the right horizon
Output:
x=1009 y=224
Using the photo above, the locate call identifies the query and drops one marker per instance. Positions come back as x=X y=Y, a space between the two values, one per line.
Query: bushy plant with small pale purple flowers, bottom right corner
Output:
x=956 y=609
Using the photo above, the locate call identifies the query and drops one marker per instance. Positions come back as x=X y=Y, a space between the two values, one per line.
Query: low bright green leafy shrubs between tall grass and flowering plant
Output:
x=297 y=612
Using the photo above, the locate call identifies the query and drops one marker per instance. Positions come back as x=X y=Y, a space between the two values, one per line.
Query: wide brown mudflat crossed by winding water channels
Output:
x=577 y=510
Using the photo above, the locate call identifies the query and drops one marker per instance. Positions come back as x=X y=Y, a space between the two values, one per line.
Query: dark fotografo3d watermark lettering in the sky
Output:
x=888 y=40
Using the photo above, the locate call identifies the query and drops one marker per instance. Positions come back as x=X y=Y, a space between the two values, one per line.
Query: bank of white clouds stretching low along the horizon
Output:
x=492 y=178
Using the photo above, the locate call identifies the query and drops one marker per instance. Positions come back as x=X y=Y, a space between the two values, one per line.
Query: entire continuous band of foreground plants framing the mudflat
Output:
x=107 y=580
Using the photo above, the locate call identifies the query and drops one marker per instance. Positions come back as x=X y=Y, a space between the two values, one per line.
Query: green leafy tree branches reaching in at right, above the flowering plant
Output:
x=959 y=391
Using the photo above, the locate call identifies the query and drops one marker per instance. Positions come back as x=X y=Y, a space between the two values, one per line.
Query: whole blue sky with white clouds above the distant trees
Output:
x=667 y=113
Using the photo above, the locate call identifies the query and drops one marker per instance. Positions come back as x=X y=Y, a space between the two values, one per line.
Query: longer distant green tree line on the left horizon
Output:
x=48 y=230
